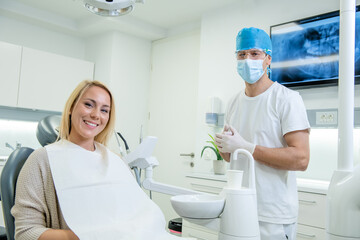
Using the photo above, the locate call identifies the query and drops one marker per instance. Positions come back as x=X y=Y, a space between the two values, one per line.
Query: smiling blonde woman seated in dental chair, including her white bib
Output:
x=76 y=188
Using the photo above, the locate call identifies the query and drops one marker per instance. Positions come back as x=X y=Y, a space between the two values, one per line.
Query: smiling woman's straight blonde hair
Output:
x=65 y=125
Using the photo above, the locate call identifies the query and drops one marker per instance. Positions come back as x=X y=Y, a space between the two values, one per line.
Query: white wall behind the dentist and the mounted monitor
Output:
x=218 y=76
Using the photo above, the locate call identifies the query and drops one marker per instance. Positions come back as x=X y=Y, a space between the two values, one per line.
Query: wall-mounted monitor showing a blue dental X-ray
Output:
x=306 y=51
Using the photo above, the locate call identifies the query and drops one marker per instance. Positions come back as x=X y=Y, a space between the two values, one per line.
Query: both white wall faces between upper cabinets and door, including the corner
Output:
x=123 y=62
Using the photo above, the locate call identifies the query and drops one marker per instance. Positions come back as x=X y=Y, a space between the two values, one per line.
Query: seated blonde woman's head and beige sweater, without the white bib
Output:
x=88 y=117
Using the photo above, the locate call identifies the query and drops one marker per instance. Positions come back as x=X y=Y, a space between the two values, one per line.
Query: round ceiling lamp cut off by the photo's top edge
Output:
x=110 y=8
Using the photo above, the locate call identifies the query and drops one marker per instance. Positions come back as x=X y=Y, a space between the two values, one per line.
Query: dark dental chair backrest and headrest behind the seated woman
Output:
x=46 y=133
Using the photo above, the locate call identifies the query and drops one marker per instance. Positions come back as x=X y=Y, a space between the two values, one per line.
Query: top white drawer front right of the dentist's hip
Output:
x=312 y=209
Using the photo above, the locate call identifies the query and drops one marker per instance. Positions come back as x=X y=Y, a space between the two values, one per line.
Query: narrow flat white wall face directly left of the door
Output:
x=130 y=81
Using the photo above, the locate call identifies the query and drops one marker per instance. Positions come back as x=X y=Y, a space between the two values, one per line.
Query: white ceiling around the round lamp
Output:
x=152 y=20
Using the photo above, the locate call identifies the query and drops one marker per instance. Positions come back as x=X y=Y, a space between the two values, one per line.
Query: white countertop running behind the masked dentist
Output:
x=304 y=185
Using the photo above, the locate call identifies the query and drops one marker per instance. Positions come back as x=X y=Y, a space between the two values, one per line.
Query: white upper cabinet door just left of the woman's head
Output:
x=47 y=79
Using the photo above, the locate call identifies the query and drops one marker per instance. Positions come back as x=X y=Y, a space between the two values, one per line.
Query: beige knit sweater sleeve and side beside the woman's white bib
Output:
x=36 y=205
